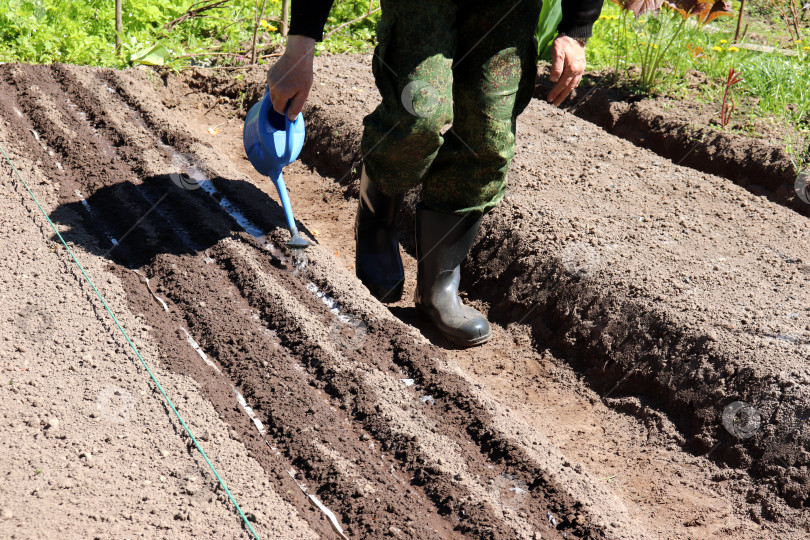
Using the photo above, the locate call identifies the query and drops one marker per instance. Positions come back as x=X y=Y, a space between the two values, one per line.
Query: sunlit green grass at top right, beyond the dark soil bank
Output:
x=774 y=84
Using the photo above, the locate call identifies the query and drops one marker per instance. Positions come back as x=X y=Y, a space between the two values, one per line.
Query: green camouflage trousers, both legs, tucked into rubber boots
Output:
x=469 y=64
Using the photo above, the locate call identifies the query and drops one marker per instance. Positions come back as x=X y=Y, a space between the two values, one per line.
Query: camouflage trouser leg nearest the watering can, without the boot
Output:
x=412 y=68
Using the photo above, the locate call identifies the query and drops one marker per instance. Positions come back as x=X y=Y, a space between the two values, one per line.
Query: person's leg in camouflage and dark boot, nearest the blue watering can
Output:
x=412 y=68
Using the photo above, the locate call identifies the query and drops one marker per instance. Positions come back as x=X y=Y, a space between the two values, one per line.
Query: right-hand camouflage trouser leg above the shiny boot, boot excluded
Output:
x=493 y=81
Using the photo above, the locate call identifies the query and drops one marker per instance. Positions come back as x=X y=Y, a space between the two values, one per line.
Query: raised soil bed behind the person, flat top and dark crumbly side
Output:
x=627 y=332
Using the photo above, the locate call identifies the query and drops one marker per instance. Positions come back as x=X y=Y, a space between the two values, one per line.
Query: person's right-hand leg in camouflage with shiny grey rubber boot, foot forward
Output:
x=494 y=74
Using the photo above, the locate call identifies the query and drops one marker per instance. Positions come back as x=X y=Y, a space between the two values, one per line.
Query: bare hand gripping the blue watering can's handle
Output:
x=290 y=78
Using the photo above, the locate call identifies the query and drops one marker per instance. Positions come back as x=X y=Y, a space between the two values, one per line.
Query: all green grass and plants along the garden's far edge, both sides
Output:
x=674 y=52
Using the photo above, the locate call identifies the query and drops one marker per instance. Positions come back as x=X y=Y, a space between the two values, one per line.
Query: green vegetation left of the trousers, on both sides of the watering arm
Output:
x=83 y=31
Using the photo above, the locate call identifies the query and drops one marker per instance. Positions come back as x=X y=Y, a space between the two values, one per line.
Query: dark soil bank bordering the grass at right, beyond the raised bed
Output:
x=684 y=132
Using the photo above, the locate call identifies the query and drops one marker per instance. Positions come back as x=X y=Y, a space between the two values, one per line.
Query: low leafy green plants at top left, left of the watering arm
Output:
x=210 y=31
